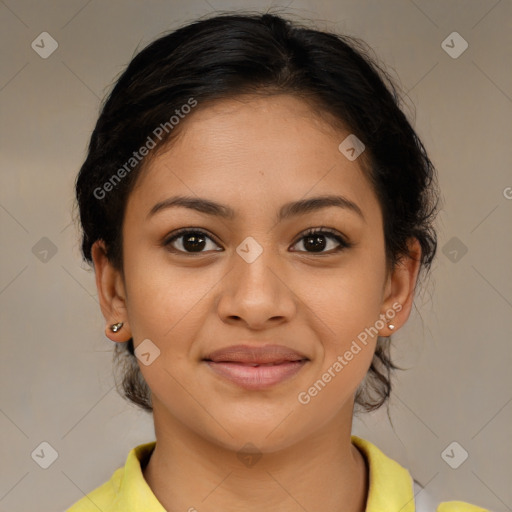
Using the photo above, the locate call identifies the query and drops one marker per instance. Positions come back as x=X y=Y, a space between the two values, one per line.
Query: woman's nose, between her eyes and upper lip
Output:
x=256 y=293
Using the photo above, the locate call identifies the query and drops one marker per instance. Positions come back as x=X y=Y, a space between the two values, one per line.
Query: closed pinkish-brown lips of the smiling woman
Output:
x=239 y=364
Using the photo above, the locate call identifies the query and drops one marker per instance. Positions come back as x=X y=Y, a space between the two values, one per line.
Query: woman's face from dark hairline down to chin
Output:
x=254 y=277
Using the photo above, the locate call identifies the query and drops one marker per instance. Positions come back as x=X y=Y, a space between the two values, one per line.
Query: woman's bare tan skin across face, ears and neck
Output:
x=254 y=154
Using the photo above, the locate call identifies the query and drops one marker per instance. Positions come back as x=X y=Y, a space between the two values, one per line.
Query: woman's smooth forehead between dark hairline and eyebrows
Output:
x=255 y=153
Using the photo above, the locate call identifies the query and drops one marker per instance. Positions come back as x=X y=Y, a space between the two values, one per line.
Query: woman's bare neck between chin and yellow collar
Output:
x=187 y=472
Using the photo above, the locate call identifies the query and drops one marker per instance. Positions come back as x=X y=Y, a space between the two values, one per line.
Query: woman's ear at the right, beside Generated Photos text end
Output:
x=399 y=288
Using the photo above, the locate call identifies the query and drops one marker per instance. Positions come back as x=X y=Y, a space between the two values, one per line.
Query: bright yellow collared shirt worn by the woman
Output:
x=390 y=489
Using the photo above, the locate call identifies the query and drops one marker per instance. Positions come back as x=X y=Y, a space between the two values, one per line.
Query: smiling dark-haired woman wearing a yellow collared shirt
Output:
x=258 y=211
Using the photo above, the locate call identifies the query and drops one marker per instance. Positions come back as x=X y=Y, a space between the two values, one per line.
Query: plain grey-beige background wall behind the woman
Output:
x=56 y=375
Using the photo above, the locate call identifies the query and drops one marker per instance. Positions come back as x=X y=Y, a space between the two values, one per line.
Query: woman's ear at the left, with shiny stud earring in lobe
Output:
x=111 y=292
